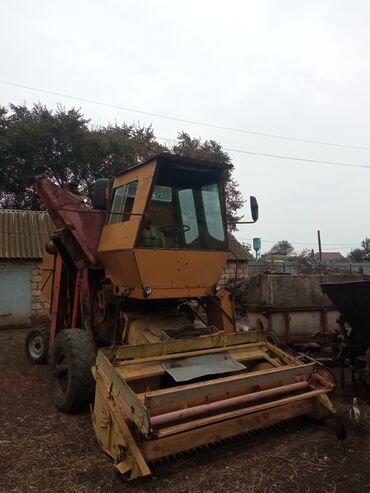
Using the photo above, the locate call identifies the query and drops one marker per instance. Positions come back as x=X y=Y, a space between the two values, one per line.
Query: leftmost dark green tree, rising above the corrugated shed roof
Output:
x=33 y=144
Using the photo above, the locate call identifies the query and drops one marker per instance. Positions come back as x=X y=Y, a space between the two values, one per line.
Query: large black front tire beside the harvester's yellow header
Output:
x=71 y=360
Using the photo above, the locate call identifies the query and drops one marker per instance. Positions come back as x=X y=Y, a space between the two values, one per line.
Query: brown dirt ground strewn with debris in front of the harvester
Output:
x=43 y=450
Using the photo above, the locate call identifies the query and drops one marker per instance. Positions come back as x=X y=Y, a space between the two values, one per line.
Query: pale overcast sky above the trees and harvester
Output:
x=293 y=69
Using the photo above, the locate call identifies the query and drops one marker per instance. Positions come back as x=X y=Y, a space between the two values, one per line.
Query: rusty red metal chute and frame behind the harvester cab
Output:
x=76 y=238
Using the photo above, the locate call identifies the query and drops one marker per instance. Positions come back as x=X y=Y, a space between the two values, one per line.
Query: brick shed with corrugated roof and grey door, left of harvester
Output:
x=23 y=235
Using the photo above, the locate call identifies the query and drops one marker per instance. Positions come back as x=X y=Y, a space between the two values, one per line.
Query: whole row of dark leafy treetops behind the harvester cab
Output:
x=60 y=145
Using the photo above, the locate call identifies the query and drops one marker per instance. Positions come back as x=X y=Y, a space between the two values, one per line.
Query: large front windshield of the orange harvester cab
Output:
x=185 y=214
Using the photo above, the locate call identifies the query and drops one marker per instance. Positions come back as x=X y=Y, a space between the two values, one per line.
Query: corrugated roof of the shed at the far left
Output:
x=23 y=234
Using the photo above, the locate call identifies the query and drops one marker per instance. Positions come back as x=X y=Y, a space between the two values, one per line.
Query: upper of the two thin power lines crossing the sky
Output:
x=183 y=120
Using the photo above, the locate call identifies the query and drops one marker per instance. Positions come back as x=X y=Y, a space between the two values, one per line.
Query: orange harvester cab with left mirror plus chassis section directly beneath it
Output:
x=164 y=246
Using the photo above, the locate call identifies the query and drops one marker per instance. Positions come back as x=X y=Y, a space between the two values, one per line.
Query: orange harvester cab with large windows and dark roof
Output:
x=166 y=221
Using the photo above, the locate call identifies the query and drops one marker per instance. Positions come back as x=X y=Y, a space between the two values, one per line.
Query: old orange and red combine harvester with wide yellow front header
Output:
x=136 y=278
